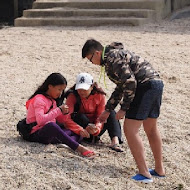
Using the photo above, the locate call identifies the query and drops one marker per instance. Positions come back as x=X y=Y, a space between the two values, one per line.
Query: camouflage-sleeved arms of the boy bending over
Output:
x=126 y=82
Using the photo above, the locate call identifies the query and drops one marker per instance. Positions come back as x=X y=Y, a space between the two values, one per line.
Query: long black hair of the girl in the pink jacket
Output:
x=53 y=79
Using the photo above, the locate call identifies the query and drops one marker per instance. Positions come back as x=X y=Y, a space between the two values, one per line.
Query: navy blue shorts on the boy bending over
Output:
x=147 y=101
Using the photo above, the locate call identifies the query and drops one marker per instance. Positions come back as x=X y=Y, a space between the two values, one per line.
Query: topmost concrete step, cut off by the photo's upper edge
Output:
x=99 y=4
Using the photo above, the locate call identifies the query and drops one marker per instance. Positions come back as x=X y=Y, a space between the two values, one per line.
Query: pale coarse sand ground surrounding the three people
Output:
x=29 y=55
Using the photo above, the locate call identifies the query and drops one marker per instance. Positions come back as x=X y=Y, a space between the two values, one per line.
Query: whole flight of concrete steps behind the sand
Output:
x=90 y=12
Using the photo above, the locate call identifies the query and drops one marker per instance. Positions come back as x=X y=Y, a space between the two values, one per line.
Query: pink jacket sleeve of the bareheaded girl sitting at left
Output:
x=40 y=107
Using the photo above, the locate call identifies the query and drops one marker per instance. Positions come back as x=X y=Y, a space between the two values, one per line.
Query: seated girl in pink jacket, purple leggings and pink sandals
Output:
x=42 y=109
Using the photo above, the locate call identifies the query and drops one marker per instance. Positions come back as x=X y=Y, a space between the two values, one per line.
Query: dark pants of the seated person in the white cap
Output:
x=112 y=126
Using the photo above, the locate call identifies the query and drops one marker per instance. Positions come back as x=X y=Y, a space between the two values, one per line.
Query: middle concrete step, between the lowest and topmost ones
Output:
x=67 y=12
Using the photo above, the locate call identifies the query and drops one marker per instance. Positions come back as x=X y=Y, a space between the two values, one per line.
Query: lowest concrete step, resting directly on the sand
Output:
x=80 y=21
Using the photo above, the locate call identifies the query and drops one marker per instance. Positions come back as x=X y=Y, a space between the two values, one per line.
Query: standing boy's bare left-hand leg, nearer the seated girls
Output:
x=131 y=129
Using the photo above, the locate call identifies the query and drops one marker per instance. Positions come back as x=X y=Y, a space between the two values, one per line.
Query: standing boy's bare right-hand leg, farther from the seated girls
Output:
x=153 y=134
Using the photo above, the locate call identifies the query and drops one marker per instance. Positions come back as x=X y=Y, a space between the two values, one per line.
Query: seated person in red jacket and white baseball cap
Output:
x=86 y=102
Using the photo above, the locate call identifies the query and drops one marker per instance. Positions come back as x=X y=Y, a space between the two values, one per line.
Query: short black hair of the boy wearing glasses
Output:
x=90 y=47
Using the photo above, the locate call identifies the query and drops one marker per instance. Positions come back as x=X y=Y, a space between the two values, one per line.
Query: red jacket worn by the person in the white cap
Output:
x=92 y=107
